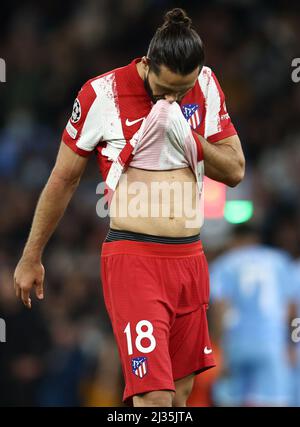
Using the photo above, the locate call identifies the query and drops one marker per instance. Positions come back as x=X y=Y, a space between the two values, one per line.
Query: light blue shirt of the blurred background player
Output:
x=256 y=282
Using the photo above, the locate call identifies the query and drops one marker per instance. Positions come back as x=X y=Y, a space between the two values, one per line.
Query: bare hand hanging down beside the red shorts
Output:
x=29 y=274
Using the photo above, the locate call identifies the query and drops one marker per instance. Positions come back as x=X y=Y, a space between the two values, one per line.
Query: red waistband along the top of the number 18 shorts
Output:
x=152 y=249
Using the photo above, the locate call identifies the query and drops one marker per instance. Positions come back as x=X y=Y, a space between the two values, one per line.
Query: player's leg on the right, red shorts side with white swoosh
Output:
x=190 y=346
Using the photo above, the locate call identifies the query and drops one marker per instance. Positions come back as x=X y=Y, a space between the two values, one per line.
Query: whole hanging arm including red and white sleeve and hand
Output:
x=80 y=137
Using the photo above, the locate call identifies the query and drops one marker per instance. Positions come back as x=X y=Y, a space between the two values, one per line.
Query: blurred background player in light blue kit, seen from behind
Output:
x=252 y=296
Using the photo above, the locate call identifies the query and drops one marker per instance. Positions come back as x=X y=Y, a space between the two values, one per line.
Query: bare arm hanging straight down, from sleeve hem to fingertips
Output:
x=51 y=206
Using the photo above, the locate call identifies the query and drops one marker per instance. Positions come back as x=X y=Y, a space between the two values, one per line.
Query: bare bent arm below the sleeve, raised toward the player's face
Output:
x=224 y=160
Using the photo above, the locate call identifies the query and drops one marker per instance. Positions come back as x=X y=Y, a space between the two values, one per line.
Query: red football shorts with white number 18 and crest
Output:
x=156 y=296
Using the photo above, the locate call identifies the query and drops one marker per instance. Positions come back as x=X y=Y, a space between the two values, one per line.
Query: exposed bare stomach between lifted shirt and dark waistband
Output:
x=162 y=203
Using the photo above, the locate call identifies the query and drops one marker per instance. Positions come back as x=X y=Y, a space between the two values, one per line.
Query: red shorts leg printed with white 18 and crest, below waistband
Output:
x=141 y=323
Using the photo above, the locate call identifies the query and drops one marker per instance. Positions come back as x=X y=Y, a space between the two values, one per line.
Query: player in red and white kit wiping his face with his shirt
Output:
x=156 y=121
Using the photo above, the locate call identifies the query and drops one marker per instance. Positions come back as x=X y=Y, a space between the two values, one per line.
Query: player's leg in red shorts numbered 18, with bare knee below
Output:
x=140 y=302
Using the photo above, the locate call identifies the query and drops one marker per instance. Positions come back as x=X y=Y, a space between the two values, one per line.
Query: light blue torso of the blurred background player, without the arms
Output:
x=258 y=302
